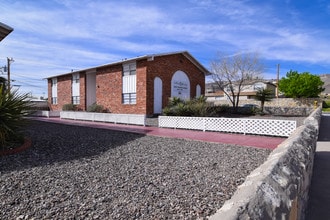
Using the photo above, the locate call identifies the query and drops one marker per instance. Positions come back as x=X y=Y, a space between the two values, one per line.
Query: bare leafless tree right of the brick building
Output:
x=233 y=73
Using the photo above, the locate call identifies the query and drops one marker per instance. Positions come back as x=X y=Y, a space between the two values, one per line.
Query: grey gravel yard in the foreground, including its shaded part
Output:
x=73 y=172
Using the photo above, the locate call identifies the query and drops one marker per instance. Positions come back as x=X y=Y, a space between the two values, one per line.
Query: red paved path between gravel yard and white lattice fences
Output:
x=216 y=137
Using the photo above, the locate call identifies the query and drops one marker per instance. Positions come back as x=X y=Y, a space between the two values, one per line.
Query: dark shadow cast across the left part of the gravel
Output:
x=54 y=143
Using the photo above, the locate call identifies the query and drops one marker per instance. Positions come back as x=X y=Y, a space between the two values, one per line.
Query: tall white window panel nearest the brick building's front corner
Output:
x=129 y=83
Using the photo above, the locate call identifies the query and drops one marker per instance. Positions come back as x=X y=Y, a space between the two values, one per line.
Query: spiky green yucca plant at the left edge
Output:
x=13 y=109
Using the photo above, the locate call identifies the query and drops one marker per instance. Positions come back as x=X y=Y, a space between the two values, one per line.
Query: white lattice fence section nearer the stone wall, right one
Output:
x=270 y=127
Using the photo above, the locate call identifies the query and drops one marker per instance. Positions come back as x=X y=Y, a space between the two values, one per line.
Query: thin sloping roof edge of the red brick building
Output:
x=149 y=57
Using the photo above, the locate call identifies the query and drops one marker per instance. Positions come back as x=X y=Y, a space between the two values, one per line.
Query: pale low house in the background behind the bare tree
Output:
x=213 y=92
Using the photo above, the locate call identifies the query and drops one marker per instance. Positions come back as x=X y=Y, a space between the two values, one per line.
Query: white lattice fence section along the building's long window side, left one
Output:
x=134 y=119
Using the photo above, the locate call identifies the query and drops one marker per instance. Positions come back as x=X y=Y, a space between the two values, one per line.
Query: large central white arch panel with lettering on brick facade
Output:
x=180 y=85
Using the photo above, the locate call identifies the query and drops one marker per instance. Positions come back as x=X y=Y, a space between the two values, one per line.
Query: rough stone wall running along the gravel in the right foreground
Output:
x=278 y=189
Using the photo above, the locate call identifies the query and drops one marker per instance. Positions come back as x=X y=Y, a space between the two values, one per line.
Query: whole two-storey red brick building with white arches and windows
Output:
x=141 y=85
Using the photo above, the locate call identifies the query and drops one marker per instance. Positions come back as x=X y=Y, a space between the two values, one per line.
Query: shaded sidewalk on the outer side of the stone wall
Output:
x=319 y=198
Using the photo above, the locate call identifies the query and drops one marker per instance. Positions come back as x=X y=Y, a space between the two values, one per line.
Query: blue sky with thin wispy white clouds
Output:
x=52 y=37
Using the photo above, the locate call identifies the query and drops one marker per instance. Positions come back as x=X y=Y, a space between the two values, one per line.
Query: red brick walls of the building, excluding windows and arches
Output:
x=109 y=84
